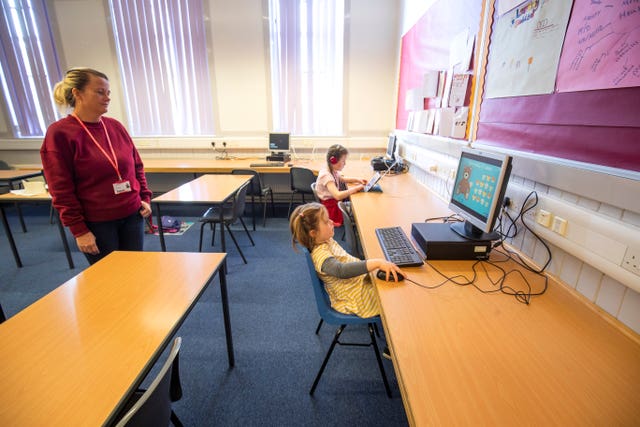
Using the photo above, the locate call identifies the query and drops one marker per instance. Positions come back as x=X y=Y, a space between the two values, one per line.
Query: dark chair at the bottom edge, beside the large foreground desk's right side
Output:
x=152 y=407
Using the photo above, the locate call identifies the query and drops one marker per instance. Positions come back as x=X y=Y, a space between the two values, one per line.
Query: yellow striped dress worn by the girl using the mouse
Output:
x=355 y=295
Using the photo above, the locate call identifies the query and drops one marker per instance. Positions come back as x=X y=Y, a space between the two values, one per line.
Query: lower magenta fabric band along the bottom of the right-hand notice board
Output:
x=617 y=147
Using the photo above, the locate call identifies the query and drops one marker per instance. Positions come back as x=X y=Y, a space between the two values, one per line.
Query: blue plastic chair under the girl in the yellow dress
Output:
x=333 y=317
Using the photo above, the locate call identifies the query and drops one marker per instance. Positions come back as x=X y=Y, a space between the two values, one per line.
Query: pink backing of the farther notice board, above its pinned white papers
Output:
x=426 y=45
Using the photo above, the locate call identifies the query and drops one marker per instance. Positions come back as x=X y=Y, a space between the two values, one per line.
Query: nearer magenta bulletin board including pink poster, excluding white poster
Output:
x=600 y=126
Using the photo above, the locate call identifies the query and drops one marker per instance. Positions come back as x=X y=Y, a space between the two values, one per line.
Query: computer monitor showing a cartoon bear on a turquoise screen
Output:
x=479 y=187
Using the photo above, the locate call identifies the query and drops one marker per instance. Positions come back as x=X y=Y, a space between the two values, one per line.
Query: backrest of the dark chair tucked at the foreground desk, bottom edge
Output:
x=154 y=406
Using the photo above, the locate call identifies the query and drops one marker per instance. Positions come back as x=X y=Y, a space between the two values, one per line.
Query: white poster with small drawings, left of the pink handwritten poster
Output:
x=525 y=49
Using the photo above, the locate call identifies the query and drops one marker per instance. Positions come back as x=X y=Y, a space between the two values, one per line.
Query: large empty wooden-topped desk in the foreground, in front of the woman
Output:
x=76 y=355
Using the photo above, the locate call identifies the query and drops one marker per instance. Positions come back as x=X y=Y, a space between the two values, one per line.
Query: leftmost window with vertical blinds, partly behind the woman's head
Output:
x=30 y=67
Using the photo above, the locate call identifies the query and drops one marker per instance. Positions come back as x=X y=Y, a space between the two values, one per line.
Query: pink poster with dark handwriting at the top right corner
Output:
x=602 y=46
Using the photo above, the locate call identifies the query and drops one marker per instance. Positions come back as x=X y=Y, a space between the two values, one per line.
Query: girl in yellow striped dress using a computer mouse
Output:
x=345 y=277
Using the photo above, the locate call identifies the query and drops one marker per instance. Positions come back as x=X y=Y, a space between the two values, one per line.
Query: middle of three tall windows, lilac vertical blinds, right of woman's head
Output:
x=161 y=49
